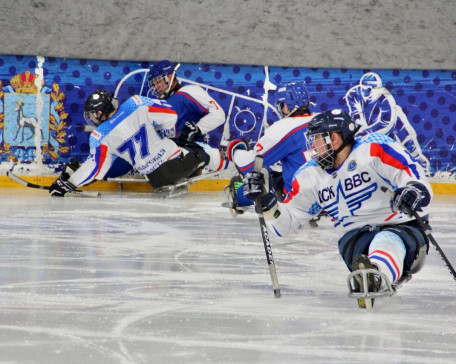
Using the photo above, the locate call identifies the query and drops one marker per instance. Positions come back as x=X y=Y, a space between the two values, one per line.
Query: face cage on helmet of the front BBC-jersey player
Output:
x=319 y=148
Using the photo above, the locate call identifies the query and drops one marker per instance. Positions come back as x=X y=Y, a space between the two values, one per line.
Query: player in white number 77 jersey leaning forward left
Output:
x=127 y=136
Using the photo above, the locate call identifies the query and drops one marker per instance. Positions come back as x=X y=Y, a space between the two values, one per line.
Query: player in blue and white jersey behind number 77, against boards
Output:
x=198 y=112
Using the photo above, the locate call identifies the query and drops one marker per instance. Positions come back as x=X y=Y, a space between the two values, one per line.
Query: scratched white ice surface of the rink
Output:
x=134 y=278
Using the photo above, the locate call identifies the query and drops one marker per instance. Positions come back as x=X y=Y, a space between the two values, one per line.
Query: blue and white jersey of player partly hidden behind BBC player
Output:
x=285 y=142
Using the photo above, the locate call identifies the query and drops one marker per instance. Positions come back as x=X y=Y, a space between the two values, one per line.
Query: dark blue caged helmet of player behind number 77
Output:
x=159 y=83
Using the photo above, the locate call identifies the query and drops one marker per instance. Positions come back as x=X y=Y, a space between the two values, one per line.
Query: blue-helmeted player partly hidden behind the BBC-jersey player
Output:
x=282 y=142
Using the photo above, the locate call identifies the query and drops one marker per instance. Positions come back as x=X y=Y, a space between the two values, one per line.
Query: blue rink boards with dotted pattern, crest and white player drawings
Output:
x=403 y=103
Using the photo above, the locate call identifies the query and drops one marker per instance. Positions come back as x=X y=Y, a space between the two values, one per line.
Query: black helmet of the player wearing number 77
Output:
x=99 y=100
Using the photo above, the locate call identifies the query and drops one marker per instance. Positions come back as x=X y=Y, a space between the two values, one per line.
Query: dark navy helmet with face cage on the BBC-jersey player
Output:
x=318 y=135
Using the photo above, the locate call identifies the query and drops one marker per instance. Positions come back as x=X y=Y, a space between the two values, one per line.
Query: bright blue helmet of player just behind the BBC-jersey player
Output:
x=293 y=94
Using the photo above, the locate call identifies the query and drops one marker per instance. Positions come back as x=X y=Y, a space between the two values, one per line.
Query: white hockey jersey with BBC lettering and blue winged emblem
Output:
x=351 y=194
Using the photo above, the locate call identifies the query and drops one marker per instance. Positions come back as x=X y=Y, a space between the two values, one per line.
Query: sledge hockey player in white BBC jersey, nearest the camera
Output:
x=379 y=239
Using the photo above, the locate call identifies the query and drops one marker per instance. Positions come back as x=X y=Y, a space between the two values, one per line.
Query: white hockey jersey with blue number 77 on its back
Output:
x=131 y=135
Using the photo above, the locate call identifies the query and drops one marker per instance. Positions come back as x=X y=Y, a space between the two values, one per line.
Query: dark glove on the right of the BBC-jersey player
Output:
x=410 y=198
